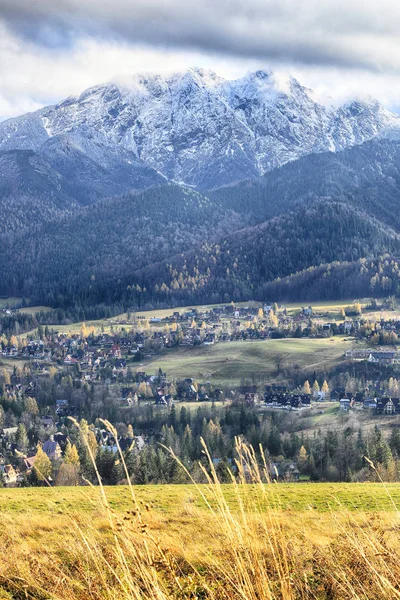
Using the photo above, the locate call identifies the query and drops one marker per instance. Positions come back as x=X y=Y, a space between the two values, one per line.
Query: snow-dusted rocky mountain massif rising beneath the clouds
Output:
x=194 y=128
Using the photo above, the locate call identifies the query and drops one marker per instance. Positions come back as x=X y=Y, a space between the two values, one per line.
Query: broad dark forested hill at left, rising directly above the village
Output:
x=84 y=255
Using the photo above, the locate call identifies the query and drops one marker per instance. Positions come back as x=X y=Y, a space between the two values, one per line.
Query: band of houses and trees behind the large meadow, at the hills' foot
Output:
x=140 y=337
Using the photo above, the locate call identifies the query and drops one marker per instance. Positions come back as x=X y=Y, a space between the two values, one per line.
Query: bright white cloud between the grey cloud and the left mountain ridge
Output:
x=32 y=75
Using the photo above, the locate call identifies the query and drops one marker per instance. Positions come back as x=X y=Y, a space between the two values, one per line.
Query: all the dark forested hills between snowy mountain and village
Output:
x=171 y=244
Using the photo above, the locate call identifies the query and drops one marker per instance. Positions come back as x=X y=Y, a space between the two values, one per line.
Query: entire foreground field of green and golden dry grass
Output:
x=257 y=541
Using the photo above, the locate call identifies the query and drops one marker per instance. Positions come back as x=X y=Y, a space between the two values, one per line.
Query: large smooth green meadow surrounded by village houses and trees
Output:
x=230 y=362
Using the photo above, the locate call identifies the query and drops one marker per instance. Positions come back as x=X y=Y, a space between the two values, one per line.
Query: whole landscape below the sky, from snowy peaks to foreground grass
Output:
x=199 y=344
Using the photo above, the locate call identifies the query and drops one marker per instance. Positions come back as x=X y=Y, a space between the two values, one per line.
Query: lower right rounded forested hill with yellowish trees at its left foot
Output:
x=241 y=264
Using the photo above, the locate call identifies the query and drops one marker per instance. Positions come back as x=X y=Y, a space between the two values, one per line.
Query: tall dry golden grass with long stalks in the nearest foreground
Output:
x=259 y=551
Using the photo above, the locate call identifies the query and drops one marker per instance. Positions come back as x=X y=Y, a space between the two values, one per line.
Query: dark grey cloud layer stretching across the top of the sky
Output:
x=351 y=34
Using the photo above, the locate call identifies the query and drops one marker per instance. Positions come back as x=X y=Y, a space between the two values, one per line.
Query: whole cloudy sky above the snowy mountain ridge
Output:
x=51 y=49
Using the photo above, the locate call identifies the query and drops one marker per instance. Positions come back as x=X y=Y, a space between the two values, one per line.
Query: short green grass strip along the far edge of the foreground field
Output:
x=169 y=499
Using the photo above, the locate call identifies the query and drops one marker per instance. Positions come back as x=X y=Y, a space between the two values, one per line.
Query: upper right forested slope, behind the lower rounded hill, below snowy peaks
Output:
x=367 y=176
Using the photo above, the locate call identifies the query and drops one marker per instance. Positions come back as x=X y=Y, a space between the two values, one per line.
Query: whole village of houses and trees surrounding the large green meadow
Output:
x=50 y=376
